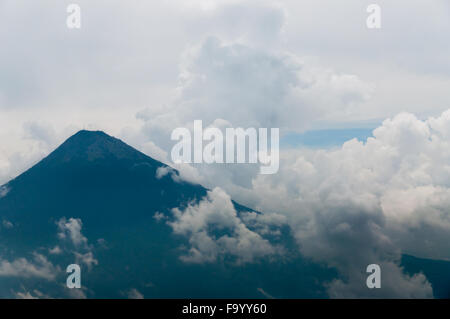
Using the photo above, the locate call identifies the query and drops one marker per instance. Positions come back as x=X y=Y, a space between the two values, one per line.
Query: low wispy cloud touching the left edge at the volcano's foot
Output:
x=40 y=267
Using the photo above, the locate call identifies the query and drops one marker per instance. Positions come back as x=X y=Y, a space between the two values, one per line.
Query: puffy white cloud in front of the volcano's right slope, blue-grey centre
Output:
x=202 y=223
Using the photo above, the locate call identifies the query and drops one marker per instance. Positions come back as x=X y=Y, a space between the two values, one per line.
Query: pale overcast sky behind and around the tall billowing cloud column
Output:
x=127 y=58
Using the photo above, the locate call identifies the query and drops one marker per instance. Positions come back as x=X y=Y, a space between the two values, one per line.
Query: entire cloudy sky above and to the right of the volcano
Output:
x=311 y=68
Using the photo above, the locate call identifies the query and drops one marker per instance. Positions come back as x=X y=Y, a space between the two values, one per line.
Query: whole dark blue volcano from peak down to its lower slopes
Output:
x=115 y=191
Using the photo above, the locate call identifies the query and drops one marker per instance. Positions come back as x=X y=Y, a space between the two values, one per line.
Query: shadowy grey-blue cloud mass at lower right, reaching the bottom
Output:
x=349 y=237
